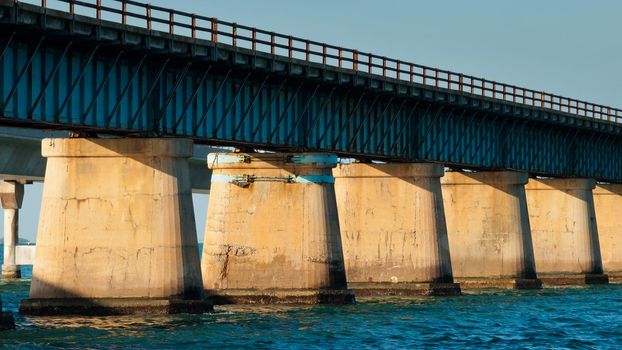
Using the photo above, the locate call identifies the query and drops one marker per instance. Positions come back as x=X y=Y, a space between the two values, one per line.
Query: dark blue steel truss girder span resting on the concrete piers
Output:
x=76 y=73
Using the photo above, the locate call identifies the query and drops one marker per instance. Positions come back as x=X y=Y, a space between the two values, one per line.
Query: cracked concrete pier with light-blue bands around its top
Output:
x=272 y=232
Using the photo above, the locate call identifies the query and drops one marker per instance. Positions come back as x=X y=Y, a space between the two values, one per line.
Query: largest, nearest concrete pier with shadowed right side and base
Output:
x=116 y=231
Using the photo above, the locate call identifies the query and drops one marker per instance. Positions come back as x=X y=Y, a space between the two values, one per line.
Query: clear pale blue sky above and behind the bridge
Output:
x=568 y=47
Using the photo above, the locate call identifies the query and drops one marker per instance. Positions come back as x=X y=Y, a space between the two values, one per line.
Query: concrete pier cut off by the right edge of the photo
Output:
x=607 y=204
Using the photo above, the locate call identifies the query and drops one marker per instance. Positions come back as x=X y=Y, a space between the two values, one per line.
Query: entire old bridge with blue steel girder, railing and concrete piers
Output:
x=141 y=89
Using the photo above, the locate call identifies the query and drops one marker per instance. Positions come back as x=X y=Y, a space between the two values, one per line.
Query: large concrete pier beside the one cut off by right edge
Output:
x=564 y=231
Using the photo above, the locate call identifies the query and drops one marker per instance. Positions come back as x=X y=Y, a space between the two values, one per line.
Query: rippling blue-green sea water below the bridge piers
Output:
x=557 y=318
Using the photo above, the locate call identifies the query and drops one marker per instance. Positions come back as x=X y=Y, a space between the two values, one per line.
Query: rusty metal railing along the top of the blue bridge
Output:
x=258 y=40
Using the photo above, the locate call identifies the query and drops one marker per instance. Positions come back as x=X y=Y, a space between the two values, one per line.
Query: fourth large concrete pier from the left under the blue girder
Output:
x=489 y=233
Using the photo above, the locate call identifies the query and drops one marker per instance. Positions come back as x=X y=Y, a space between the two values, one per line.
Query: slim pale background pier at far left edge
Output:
x=11 y=196
